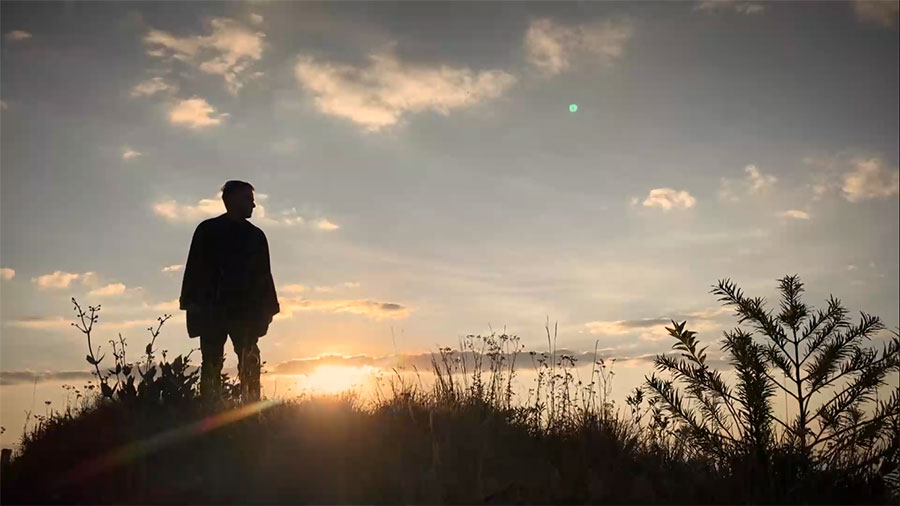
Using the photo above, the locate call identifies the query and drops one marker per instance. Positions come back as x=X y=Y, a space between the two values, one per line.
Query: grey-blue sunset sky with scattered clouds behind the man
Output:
x=420 y=174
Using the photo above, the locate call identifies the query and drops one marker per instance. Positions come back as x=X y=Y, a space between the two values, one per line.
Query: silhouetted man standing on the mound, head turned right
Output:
x=228 y=290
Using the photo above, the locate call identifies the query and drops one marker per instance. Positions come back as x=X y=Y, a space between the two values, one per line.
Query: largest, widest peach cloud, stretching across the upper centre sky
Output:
x=379 y=95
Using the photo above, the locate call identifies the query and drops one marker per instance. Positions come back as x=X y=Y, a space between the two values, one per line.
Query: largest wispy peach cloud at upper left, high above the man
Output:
x=229 y=51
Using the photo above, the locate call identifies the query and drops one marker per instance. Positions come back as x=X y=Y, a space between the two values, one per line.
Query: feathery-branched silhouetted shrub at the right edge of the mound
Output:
x=820 y=354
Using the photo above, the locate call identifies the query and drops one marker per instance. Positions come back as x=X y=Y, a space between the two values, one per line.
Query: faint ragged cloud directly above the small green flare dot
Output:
x=552 y=47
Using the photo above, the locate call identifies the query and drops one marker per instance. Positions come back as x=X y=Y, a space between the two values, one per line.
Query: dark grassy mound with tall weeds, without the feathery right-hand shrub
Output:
x=463 y=439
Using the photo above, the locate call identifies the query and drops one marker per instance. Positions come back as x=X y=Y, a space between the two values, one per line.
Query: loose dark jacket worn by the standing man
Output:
x=228 y=274
